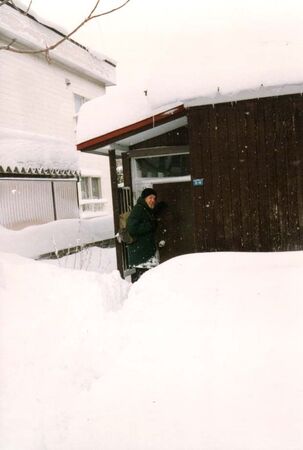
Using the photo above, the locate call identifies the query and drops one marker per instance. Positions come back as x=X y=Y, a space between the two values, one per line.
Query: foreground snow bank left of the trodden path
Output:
x=52 y=322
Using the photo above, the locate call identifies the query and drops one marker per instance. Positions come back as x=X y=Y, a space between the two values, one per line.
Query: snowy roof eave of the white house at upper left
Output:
x=35 y=33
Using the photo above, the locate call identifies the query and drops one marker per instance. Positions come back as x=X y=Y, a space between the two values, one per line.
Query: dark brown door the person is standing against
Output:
x=176 y=221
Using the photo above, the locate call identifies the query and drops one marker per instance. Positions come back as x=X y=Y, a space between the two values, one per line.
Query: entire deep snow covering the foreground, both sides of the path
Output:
x=203 y=352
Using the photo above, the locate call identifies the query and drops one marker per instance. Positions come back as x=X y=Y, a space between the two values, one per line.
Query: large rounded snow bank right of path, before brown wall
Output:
x=214 y=357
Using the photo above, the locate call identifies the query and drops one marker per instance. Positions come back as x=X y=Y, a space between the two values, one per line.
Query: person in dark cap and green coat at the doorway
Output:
x=142 y=225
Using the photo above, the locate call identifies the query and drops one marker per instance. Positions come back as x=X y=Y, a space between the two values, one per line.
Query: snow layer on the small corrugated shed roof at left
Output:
x=25 y=150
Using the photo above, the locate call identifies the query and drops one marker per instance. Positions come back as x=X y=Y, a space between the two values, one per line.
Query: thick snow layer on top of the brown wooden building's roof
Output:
x=208 y=66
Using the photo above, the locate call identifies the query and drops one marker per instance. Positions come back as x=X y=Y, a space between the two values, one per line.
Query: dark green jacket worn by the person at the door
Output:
x=141 y=225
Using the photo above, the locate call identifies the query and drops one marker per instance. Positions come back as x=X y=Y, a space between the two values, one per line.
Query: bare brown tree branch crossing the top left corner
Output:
x=47 y=49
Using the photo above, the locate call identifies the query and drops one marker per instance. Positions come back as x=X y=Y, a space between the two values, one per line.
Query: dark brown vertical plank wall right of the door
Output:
x=250 y=154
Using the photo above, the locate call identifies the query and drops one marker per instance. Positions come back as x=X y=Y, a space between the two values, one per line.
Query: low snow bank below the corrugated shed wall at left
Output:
x=51 y=237
